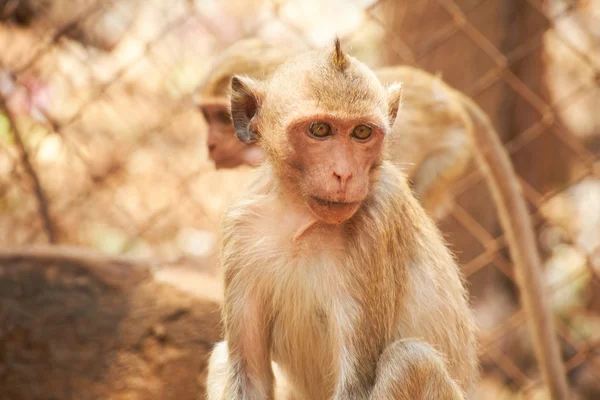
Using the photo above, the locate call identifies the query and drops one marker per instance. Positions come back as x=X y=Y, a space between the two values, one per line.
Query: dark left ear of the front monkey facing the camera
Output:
x=246 y=97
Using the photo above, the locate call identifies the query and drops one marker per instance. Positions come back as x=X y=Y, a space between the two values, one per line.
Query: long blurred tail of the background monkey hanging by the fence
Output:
x=516 y=222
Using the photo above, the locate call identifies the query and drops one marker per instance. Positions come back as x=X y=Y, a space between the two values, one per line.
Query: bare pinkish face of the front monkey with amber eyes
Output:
x=331 y=160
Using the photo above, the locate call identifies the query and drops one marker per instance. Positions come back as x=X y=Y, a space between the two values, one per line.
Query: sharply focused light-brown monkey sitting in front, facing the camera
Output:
x=337 y=283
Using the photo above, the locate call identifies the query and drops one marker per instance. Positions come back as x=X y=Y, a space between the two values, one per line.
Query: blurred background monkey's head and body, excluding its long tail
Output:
x=432 y=142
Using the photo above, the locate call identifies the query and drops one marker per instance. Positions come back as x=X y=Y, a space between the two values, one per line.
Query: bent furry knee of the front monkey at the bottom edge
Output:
x=413 y=370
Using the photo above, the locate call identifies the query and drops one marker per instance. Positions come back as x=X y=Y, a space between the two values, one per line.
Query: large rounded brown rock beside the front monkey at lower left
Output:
x=78 y=325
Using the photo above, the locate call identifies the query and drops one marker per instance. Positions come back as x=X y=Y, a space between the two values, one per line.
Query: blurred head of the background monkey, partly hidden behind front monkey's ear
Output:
x=252 y=58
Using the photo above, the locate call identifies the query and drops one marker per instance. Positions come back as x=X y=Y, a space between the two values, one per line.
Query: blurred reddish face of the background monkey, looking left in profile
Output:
x=224 y=148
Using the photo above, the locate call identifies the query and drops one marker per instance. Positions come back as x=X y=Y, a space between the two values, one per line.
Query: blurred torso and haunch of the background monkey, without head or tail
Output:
x=434 y=139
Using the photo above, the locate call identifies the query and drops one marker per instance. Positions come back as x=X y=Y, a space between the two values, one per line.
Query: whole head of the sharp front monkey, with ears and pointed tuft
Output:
x=321 y=118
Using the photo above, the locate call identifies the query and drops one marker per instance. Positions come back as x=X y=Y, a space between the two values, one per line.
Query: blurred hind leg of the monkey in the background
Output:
x=434 y=176
